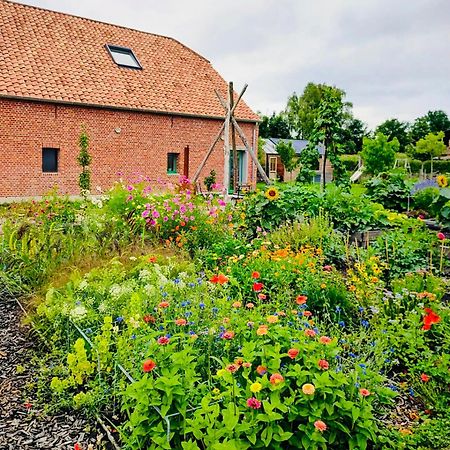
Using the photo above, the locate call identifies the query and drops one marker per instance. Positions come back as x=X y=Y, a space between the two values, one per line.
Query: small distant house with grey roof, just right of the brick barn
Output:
x=275 y=169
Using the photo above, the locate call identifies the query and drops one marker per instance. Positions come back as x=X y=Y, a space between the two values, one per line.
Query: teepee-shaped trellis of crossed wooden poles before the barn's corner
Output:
x=228 y=129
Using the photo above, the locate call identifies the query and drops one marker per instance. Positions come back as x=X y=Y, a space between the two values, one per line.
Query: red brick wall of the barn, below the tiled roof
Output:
x=141 y=147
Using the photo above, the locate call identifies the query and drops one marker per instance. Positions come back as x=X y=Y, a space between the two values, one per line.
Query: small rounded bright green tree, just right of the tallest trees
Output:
x=378 y=154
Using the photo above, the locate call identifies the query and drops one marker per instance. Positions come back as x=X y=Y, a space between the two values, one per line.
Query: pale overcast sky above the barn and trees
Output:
x=392 y=57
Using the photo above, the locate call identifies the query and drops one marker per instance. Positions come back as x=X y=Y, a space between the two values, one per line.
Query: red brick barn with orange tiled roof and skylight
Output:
x=146 y=101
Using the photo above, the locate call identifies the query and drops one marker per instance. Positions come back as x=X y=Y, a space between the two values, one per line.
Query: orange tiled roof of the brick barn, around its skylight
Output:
x=52 y=56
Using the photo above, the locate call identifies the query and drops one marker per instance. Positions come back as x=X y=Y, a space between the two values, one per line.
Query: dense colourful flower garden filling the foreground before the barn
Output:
x=293 y=318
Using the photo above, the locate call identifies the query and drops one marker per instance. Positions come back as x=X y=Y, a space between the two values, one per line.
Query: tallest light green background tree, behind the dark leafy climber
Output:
x=302 y=110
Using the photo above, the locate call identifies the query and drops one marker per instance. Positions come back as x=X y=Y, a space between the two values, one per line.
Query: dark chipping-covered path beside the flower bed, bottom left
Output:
x=22 y=424
